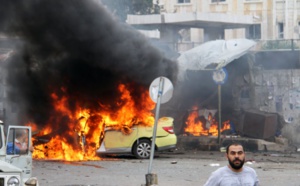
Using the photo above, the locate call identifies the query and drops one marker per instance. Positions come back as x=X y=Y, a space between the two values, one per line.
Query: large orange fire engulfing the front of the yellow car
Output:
x=85 y=127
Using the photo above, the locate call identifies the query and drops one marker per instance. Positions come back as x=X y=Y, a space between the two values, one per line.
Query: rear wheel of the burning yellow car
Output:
x=142 y=149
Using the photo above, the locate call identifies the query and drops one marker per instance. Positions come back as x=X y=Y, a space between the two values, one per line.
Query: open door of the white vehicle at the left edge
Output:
x=21 y=159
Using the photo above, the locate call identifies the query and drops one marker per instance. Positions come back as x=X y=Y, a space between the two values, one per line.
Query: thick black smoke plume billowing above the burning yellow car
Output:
x=77 y=49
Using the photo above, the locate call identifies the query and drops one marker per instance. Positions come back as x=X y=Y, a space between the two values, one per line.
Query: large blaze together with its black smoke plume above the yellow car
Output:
x=76 y=71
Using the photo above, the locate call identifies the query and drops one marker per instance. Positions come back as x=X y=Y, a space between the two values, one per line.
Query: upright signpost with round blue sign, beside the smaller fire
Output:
x=220 y=77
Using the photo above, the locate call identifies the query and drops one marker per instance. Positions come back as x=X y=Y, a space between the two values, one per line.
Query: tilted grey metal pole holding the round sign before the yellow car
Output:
x=159 y=95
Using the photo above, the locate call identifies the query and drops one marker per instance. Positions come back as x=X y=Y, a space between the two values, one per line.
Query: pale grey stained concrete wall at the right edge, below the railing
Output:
x=278 y=91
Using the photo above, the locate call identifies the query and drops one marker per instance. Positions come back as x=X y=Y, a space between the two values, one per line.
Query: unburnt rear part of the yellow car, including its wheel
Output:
x=138 y=141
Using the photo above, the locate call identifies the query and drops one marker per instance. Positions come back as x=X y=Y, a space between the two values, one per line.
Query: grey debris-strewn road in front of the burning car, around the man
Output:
x=172 y=169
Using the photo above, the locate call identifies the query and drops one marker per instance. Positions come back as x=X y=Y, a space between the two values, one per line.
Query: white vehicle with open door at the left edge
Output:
x=15 y=162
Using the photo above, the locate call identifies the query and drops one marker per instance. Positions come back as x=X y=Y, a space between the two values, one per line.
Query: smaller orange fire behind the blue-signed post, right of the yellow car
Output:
x=207 y=127
